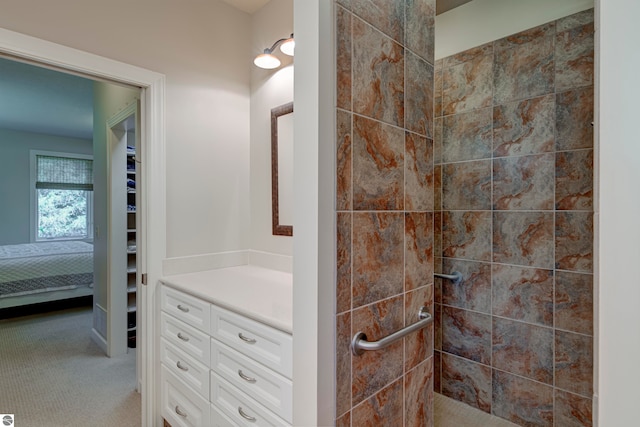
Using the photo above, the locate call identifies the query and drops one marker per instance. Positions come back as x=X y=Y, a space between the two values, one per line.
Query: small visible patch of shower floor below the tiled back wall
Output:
x=451 y=413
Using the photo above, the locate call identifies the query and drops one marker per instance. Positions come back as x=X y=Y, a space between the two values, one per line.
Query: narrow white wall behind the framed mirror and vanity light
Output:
x=269 y=89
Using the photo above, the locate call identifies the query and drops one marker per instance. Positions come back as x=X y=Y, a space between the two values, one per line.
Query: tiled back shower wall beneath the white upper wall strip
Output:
x=514 y=214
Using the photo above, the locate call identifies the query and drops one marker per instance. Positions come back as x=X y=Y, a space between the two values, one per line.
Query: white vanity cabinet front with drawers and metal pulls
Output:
x=219 y=367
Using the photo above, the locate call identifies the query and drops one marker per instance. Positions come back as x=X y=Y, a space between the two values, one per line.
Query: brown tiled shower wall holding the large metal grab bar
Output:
x=384 y=207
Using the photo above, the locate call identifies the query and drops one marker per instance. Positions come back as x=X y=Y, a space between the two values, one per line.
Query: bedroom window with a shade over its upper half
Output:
x=63 y=196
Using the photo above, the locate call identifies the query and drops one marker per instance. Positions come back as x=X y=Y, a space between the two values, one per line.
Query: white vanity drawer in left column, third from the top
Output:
x=185 y=367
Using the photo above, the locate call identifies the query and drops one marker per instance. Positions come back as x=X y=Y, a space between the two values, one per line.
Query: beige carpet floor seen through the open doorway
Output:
x=53 y=375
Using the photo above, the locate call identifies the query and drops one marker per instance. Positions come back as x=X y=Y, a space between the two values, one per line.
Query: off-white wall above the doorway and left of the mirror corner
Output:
x=207 y=99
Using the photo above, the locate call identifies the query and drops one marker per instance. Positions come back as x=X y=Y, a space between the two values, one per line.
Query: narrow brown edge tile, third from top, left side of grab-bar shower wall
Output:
x=343 y=261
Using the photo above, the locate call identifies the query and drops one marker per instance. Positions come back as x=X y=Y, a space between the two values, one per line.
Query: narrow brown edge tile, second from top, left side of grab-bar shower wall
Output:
x=343 y=161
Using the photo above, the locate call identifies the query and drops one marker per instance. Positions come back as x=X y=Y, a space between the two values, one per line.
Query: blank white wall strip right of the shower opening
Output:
x=617 y=207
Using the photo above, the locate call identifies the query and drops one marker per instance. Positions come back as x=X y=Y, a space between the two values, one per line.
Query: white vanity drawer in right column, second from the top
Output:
x=267 y=387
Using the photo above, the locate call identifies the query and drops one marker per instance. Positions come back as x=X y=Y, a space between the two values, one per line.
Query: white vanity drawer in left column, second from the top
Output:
x=186 y=338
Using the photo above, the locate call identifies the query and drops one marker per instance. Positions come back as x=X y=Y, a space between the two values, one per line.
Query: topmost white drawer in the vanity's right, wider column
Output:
x=269 y=346
